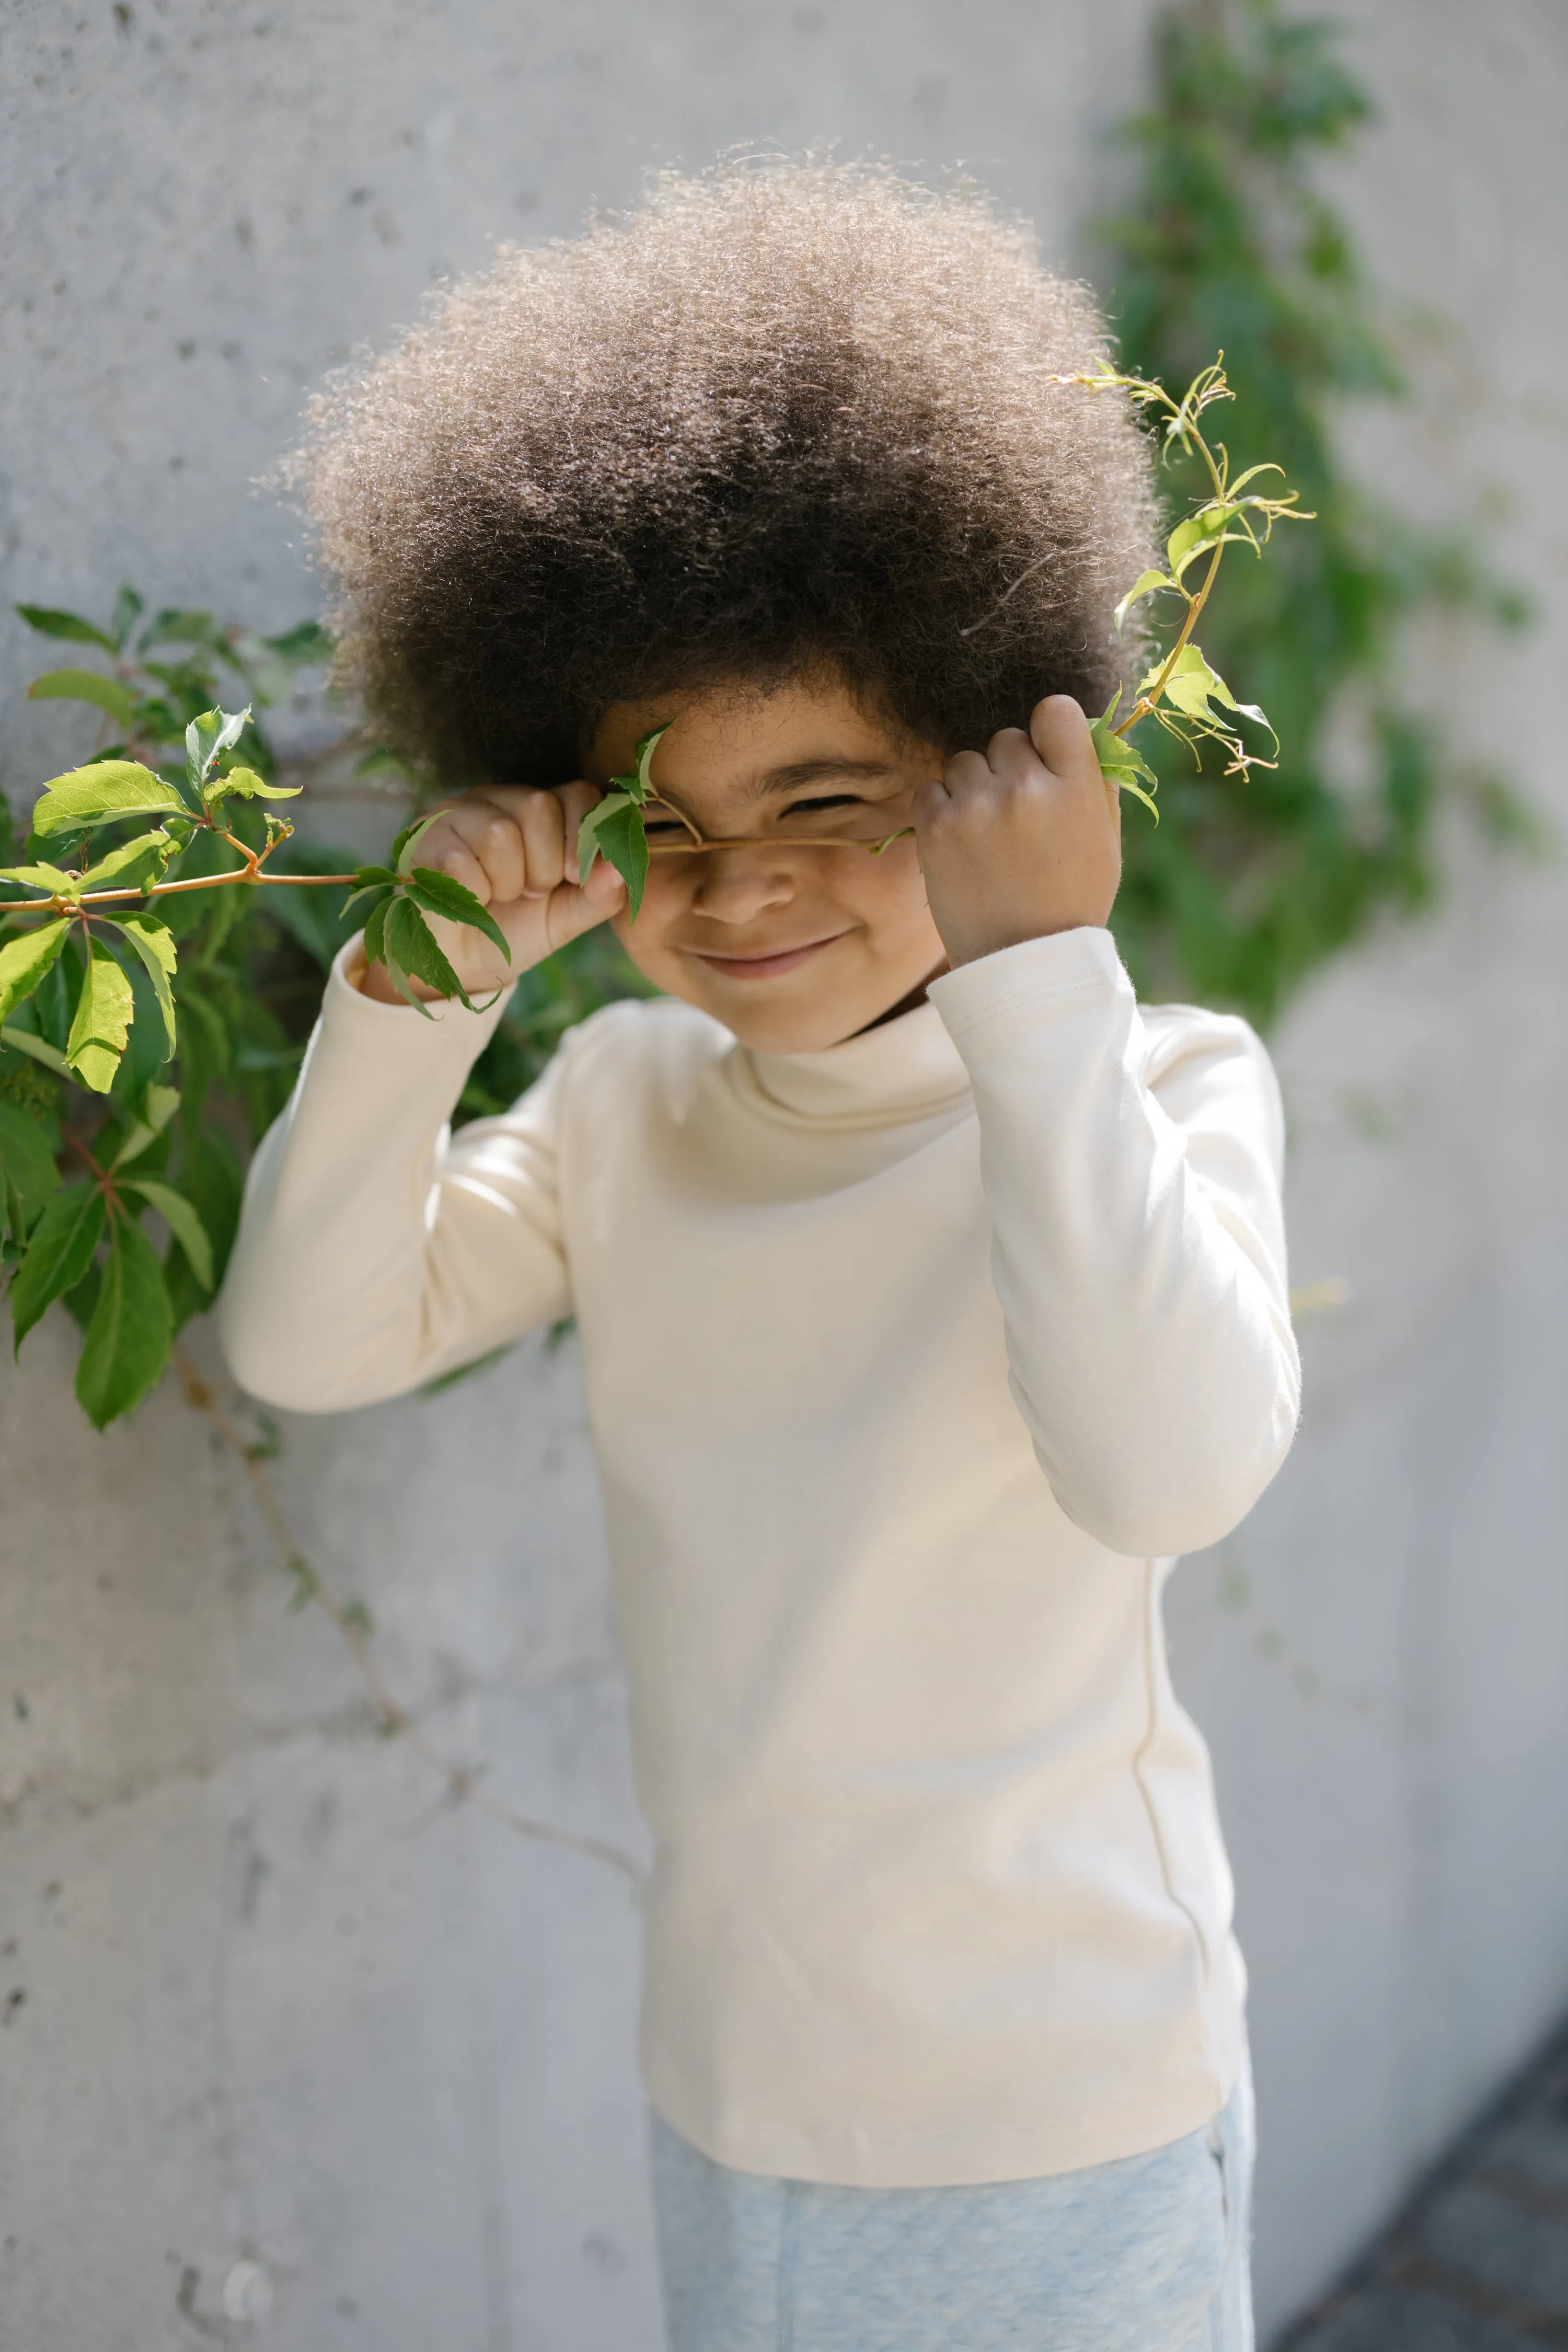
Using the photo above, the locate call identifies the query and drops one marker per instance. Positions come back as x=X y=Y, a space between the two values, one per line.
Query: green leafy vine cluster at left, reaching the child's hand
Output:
x=163 y=947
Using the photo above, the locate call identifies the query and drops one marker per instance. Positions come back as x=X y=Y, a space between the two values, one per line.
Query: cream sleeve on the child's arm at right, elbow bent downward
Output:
x=1132 y=1180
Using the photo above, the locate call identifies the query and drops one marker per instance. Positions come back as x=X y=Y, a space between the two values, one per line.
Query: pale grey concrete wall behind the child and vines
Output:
x=297 y=2052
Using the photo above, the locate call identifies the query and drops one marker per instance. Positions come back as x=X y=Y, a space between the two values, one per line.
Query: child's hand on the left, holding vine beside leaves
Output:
x=516 y=850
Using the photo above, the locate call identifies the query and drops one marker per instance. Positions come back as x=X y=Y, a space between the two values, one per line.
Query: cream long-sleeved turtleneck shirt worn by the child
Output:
x=909 y=1370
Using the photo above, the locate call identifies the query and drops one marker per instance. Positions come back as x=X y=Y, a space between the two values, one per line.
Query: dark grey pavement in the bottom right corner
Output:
x=1480 y=2259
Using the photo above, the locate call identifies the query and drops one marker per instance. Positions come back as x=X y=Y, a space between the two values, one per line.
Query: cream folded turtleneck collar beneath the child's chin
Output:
x=902 y=1071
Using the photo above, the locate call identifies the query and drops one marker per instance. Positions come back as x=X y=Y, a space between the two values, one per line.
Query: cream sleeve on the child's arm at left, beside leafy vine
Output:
x=377 y=1250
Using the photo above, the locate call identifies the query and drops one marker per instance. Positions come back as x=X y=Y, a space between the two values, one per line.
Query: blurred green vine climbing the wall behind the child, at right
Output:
x=1226 y=243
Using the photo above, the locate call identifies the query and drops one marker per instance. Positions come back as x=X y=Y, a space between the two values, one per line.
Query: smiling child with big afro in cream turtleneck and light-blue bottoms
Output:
x=932 y=1295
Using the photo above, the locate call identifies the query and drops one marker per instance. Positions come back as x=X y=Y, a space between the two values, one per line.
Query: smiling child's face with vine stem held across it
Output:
x=791 y=947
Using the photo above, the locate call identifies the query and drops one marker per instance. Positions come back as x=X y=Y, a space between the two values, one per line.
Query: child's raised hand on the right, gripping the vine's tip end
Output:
x=1024 y=838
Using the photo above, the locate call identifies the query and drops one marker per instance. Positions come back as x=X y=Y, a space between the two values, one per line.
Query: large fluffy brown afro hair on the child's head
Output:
x=782 y=417
